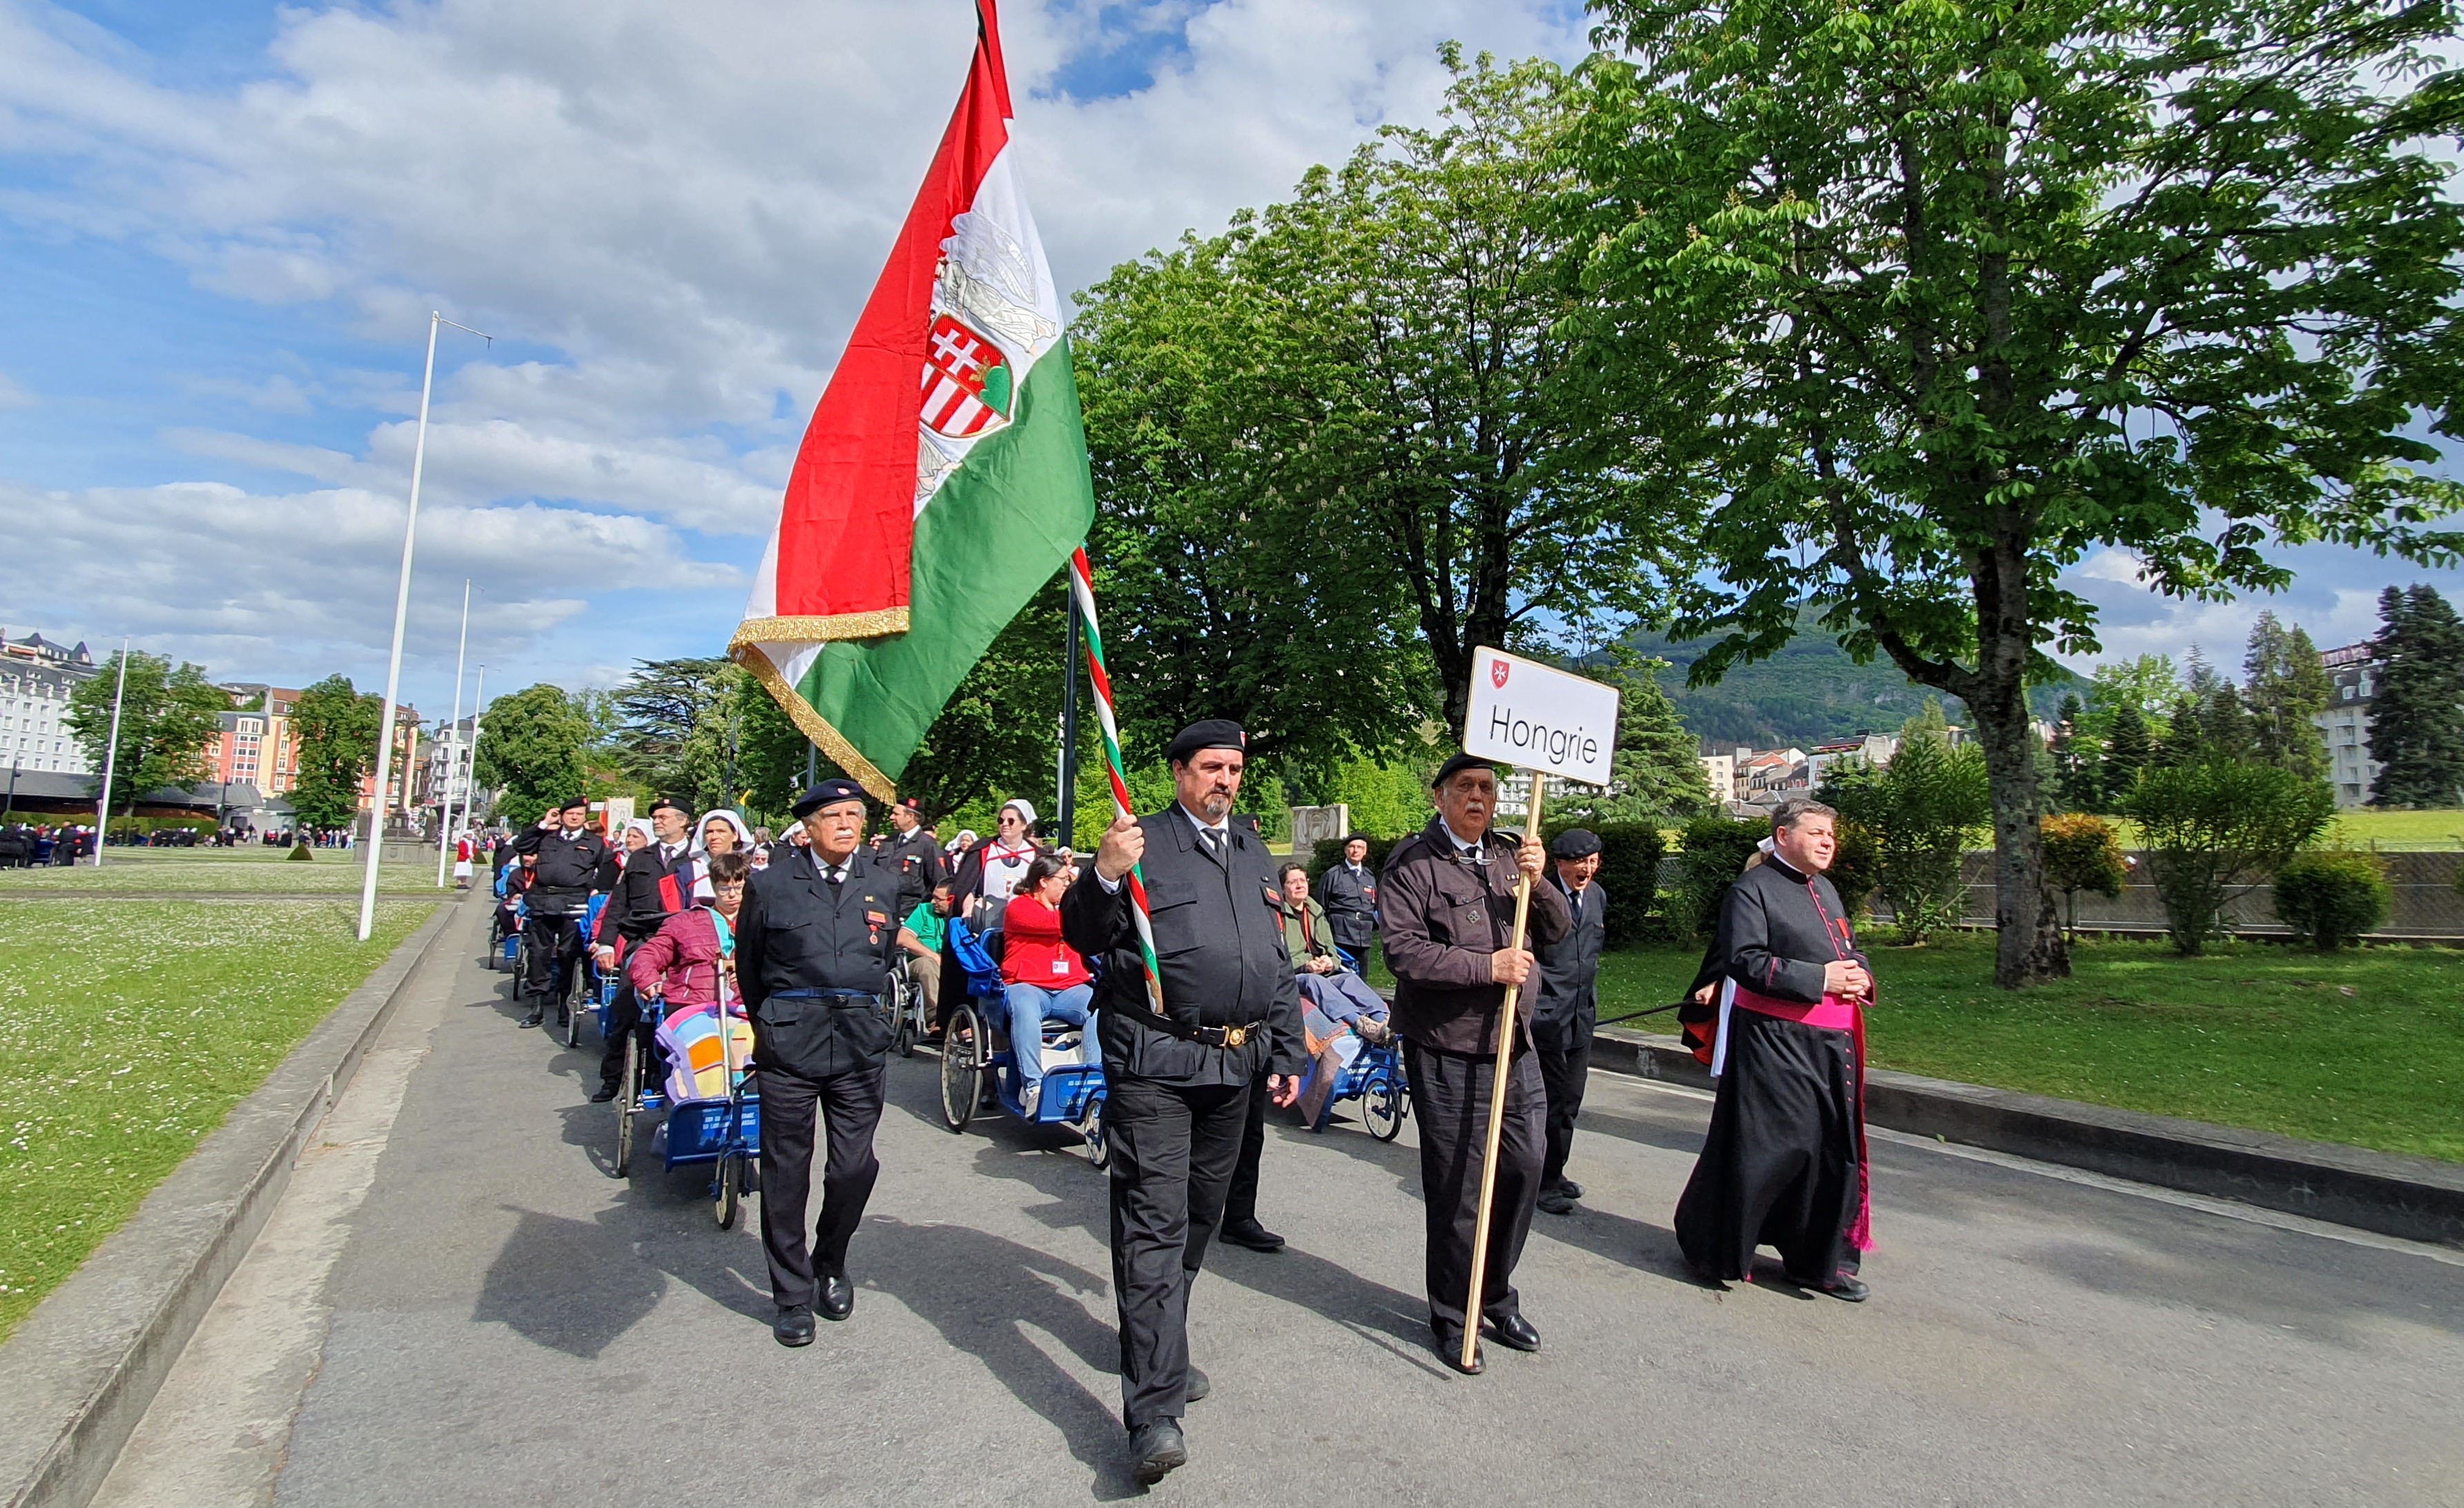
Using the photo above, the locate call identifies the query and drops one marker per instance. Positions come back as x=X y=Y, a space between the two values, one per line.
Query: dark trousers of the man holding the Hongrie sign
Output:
x=1450 y=1098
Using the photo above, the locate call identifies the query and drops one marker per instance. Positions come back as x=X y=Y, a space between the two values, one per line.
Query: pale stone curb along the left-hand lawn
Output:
x=80 y=1371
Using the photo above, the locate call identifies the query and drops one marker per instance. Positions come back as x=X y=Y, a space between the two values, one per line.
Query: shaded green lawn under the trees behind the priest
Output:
x=2362 y=1048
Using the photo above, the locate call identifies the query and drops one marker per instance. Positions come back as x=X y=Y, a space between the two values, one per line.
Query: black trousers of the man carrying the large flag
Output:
x=1172 y=1162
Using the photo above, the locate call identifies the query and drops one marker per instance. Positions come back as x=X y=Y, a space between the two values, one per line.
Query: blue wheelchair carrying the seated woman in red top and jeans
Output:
x=979 y=1068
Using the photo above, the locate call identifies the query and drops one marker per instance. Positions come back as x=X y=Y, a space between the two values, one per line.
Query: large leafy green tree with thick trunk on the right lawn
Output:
x=1977 y=287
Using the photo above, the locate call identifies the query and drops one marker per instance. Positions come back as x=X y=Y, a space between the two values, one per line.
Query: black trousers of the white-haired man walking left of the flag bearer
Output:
x=849 y=1108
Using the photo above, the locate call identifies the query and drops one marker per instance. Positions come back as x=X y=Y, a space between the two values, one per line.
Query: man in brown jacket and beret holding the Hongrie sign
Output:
x=1445 y=915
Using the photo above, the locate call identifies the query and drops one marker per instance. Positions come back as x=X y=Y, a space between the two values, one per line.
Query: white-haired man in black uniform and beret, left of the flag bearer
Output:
x=814 y=947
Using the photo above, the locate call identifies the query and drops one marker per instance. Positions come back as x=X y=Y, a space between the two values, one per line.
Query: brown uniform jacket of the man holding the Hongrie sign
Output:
x=1440 y=920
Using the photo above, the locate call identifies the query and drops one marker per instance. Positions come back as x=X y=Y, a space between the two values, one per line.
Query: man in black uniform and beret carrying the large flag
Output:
x=1179 y=1083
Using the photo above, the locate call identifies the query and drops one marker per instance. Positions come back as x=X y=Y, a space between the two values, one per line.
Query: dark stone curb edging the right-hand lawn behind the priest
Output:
x=2416 y=1199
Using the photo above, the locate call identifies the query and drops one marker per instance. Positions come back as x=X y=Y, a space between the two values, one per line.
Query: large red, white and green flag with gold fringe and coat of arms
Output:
x=942 y=479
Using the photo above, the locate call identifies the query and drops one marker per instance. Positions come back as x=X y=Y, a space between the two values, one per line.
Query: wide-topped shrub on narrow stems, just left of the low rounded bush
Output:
x=2219 y=824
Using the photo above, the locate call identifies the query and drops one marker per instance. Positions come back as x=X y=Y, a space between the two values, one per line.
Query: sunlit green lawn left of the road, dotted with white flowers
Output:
x=129 y=1031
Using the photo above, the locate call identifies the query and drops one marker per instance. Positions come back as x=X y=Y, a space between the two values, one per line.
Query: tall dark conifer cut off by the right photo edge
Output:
x=2418 y=706
